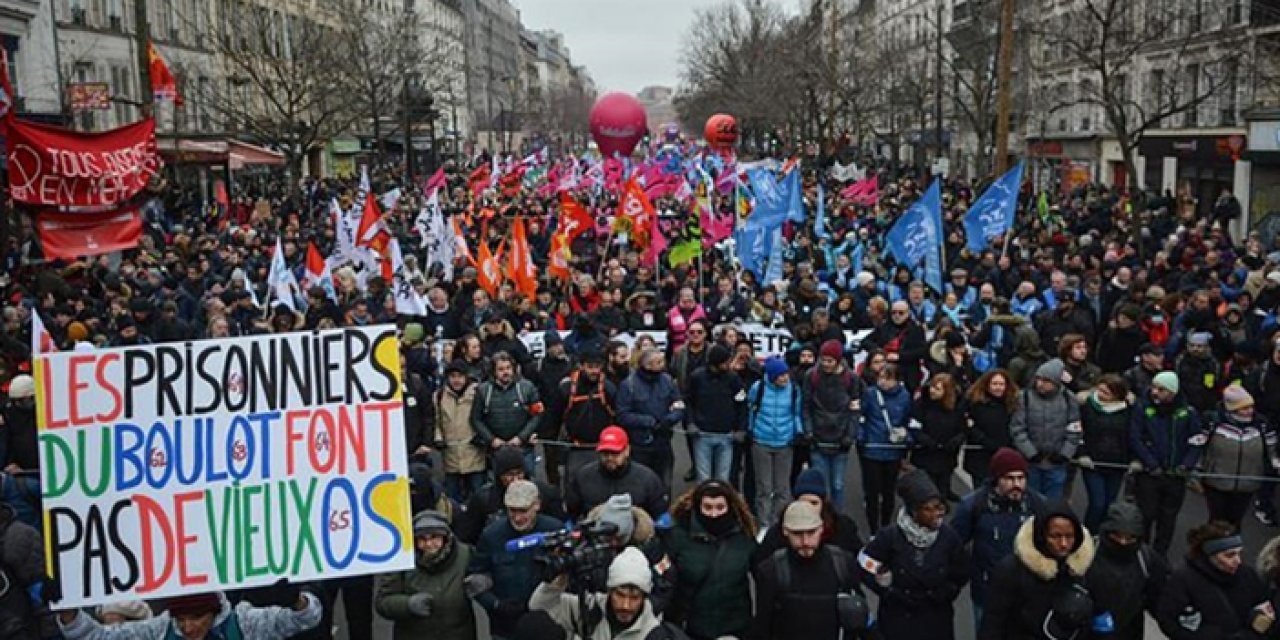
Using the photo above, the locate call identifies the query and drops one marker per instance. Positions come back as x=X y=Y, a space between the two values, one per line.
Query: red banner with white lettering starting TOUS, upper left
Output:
x=56 y=167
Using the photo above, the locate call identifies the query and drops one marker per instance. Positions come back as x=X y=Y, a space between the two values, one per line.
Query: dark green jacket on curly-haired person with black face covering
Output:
x=712 y=592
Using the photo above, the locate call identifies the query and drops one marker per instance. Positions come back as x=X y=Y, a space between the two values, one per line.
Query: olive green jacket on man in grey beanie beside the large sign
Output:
x=452 y=616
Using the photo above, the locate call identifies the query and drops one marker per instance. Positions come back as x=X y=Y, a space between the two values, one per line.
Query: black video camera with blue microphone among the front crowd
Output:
x=579 y=552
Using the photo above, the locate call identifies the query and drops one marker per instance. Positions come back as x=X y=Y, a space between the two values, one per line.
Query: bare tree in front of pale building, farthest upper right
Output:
x=1191 y=53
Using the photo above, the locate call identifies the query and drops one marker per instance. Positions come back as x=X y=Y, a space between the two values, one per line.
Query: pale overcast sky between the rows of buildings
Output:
x=627 y=44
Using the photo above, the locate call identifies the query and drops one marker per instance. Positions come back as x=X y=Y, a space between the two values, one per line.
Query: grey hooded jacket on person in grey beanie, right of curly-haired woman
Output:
x=1048 y=426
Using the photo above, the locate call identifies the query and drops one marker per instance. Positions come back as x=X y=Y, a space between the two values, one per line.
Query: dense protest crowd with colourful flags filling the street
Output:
x=696 y=364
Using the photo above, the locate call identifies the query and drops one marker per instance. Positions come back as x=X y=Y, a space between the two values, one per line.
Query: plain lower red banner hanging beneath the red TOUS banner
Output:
x=71 y=236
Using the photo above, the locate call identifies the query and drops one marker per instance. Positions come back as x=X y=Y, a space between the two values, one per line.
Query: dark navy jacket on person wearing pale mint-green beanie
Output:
x=1163 y=436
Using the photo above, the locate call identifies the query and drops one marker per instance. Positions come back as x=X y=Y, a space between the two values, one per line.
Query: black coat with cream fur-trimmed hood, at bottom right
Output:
x=1028 y=582
